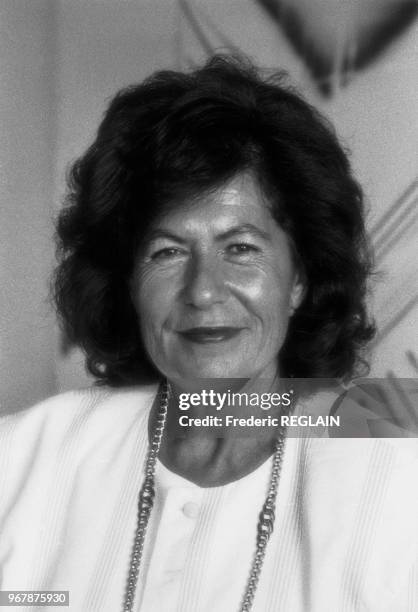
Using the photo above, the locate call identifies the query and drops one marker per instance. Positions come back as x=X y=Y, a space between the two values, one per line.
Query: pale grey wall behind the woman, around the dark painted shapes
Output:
x=62 y=60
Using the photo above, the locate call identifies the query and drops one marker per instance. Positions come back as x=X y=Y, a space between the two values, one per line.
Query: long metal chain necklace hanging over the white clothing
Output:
x=146 y=501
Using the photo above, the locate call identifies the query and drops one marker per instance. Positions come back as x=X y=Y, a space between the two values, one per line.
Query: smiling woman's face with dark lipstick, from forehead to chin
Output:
x=214 y=286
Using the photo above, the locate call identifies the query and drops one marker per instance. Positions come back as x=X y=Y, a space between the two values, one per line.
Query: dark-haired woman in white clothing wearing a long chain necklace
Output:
x=213 y=230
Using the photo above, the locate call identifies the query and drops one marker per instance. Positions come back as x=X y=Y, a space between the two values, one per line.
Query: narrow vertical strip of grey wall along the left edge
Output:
x=27 y=336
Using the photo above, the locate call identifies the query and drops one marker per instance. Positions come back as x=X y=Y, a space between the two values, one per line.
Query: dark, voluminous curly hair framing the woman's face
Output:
x=180 y=134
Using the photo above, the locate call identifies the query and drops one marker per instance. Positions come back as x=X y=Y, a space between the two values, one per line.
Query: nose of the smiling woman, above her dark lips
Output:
x=205 y=283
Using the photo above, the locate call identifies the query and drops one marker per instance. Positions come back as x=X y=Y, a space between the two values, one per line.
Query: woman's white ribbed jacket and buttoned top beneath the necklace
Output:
x=345 y=536
